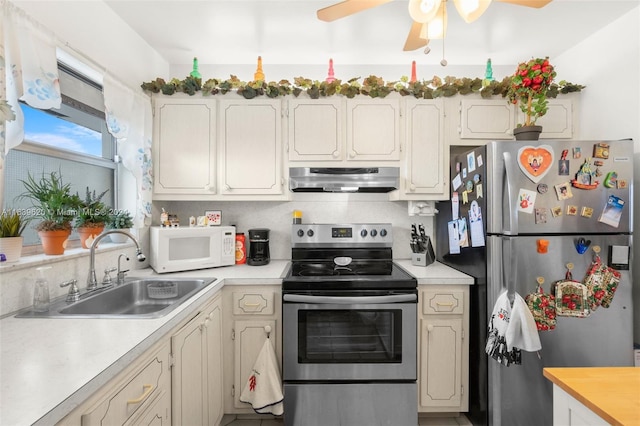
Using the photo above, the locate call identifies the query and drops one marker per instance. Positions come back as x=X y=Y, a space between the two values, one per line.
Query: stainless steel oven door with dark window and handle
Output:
x=353 y=338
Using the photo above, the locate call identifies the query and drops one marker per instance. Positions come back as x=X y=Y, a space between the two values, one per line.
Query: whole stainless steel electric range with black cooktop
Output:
x=349 y=327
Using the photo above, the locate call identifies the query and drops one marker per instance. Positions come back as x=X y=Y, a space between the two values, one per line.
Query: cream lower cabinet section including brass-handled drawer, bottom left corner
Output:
x=138 y=395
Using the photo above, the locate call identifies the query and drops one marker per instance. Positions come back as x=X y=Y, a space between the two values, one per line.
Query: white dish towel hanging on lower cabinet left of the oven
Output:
x=263 y=389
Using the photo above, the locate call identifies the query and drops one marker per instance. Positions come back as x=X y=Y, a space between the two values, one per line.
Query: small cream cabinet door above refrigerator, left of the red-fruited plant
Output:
x=486 y=119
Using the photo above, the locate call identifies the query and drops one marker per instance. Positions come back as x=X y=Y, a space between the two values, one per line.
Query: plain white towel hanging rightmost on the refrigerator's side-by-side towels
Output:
x=522 y=332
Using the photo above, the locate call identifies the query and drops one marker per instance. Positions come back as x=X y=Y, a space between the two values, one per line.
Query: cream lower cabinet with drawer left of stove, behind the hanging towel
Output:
x=253 y=317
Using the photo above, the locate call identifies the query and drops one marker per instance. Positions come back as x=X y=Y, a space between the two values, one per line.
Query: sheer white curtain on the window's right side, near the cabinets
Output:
x=129 y=120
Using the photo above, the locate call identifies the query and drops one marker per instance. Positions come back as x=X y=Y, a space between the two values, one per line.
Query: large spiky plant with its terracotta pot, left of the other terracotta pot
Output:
x=53 y=203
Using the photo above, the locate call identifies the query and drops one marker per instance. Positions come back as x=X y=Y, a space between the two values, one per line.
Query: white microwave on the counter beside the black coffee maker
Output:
x=186 y=249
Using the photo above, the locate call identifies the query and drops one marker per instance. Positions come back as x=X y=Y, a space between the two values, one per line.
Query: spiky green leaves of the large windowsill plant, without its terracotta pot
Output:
x=51 y=200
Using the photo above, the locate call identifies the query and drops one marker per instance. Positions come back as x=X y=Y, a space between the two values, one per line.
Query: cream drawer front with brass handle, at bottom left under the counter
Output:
x=135 y=395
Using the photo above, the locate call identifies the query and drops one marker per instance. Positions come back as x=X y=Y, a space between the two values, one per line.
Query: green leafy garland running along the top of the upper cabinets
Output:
x=371 y=86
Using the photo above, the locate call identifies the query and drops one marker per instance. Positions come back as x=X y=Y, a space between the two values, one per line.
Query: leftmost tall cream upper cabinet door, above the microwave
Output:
x=184 y=146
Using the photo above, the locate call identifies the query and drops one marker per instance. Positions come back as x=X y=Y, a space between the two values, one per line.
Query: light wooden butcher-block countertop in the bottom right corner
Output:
x=613 y=393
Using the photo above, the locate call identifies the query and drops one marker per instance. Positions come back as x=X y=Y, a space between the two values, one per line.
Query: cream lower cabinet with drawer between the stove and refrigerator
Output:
x=443 y=350
